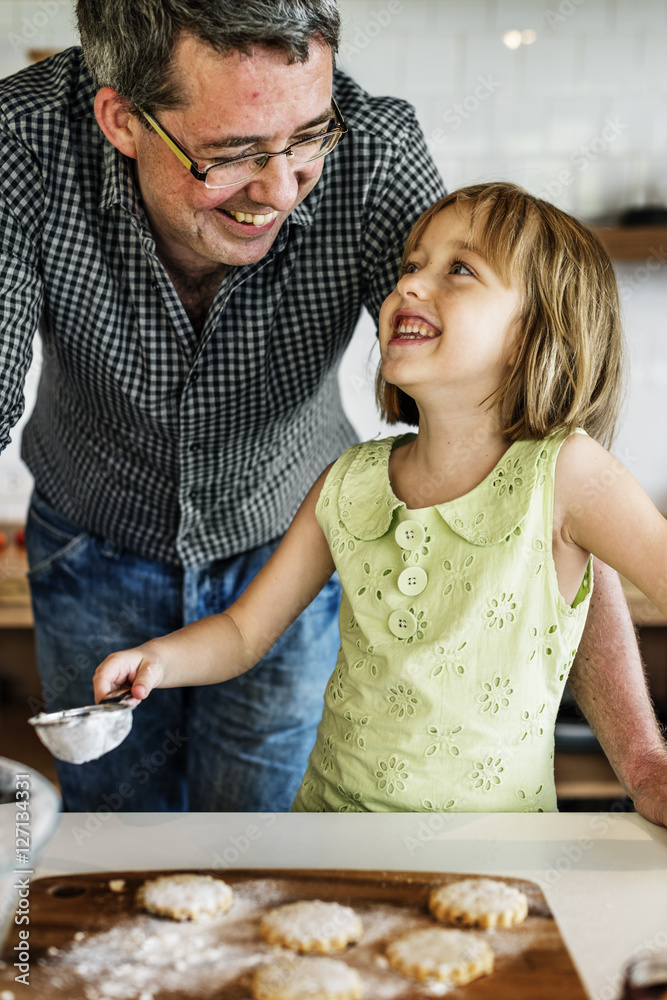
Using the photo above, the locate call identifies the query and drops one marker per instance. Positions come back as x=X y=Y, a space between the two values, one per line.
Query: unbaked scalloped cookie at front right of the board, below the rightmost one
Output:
x=451 y=956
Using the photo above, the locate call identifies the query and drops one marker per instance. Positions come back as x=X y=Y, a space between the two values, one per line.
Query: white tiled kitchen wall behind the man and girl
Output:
x=566 y=97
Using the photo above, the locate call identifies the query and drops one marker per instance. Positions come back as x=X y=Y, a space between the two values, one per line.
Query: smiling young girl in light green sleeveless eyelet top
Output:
x=464 y=550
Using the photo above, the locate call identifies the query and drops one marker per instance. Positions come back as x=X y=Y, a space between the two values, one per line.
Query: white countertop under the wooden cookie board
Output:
x=603 y=874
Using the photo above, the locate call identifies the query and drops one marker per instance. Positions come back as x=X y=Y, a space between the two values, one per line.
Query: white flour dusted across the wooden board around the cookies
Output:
x=143 y=957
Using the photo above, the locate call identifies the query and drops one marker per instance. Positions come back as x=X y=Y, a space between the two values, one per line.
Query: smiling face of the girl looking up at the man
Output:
x=450 y=322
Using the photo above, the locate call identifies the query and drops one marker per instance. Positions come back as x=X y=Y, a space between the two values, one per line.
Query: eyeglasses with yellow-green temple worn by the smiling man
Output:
x=236 y=169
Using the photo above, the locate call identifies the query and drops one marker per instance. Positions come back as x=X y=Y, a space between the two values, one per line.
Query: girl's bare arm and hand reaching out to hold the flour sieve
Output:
x=222 y=646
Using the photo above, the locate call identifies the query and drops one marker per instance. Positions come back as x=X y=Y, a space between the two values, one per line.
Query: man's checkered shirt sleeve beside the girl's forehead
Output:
x=406 y=185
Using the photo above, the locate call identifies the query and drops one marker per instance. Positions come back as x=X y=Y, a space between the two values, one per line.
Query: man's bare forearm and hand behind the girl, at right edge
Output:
x=607 y=680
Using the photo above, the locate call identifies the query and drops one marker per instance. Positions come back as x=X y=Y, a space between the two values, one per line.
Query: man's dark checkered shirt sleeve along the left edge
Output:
x=21 y=299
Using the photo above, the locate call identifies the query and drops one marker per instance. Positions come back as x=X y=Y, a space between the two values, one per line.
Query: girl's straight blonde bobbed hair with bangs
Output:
x=569 y=370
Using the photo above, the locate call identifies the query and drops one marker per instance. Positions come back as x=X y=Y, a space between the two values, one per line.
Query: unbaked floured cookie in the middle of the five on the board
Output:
x=311 y=925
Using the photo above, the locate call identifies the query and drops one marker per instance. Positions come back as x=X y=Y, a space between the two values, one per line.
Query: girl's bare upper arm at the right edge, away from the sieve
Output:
x=605 y=511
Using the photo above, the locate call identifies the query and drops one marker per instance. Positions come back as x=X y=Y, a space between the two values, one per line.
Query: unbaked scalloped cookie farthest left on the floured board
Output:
x=185 y=897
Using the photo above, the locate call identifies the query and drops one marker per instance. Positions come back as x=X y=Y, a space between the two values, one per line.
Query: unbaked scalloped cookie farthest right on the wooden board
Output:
x=478 y=902
